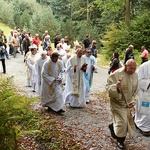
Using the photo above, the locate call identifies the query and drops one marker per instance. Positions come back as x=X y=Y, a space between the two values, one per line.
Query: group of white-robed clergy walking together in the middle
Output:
x=60 y=77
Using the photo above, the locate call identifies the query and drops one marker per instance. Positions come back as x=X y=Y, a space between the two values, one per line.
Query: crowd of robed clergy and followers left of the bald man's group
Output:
x=60 y=76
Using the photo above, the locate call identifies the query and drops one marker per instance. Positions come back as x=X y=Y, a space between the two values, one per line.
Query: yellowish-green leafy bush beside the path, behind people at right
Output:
x=116 y=39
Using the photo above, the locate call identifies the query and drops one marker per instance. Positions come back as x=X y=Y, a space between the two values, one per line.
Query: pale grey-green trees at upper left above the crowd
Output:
x=29 y=16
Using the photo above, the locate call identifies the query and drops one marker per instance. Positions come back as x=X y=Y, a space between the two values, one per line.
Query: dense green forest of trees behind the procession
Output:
x=113 y=24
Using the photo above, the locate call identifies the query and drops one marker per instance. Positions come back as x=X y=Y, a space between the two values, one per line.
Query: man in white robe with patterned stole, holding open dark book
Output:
x=74 y=93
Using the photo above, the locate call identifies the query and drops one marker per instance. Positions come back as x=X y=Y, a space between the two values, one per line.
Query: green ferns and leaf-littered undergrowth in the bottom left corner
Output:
x=18 y=121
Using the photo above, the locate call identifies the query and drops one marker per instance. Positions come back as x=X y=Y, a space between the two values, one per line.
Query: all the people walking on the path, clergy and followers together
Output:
x=62 y=76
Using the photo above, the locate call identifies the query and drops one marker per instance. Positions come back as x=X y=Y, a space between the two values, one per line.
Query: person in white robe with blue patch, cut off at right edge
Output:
x=142 y=111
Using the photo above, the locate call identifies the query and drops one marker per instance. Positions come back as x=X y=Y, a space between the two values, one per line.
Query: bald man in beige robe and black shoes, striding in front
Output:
x=122 y=88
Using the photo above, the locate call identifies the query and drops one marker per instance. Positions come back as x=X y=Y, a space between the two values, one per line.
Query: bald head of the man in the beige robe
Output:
x=130 y=66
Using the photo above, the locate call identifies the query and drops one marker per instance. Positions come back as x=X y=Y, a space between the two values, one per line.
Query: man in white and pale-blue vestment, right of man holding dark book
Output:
x=90 y=60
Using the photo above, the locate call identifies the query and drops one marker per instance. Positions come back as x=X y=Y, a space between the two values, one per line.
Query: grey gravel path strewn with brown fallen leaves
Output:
x=88 y=124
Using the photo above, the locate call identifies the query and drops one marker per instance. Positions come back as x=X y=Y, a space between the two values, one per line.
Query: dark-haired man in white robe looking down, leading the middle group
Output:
x=51 y=89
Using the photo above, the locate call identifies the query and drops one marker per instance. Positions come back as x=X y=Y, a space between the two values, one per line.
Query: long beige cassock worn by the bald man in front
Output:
x=119 y=100
